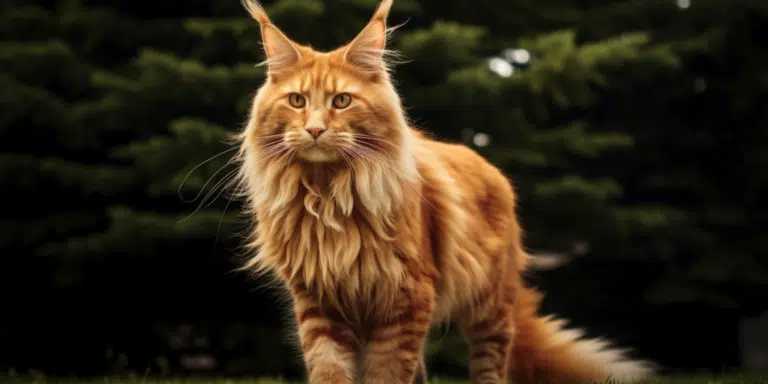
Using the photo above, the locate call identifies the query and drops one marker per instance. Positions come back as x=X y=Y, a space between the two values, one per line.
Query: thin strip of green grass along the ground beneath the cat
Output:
x=731 y=379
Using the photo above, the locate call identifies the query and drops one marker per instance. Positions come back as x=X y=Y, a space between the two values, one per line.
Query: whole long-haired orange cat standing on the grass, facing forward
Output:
x=380 y=232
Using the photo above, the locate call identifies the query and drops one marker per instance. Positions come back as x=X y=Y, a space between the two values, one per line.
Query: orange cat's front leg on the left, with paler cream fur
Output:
x=329 y=346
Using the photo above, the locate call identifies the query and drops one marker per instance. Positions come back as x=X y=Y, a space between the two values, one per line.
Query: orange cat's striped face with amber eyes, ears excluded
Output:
x=324 y=110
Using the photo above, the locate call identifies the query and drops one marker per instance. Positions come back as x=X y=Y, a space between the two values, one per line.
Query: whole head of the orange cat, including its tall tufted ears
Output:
x=335 y=107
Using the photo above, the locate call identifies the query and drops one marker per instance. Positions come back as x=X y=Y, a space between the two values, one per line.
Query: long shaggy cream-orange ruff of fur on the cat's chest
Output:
x=325 y=240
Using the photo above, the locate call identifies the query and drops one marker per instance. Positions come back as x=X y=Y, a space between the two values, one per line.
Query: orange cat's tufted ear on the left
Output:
x=281 y=51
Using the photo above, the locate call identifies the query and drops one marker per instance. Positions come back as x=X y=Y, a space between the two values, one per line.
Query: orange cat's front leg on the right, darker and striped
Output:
x=394 y=347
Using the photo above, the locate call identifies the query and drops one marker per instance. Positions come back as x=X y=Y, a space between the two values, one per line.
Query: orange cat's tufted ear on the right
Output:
x=367 y=50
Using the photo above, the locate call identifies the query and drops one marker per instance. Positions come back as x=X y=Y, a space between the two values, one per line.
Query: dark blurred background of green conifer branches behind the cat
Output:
x=634 y=131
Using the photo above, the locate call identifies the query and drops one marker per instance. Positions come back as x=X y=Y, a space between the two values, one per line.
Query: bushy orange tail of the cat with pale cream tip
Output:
x=544 y=351
